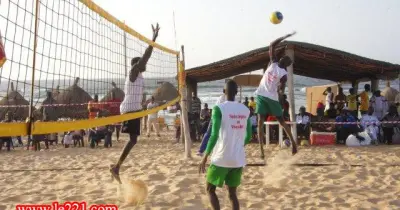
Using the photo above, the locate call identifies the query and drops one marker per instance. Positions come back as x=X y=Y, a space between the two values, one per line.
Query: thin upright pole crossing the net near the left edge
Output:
x=30 y=116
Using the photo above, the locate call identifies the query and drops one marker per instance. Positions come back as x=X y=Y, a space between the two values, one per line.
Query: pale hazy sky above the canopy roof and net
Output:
x=212 y=30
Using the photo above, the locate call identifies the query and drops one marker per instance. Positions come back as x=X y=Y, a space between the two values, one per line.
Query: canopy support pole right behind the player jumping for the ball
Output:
x=292 y=108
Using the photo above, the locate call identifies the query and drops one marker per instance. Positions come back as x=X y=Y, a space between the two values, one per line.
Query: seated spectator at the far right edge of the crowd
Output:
x=388 y=128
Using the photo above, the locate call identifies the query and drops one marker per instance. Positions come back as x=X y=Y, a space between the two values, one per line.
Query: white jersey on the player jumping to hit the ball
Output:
x=270 y=81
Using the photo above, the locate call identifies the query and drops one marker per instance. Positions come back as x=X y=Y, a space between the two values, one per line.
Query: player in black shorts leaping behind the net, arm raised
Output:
x=134 y=87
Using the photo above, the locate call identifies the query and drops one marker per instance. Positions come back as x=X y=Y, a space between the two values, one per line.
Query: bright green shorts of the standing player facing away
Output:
x=219 y=175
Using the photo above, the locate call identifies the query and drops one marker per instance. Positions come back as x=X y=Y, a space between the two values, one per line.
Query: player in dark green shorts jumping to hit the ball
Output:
x=270 y=92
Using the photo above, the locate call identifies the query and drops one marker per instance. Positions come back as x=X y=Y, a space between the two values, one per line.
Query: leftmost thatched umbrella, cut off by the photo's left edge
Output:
x=11 y=99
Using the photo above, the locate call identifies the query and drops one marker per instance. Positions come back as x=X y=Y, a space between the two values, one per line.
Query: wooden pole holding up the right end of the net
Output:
x=184 y=111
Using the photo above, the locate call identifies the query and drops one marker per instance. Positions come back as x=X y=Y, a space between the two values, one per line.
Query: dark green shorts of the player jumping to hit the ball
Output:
x=267 y=106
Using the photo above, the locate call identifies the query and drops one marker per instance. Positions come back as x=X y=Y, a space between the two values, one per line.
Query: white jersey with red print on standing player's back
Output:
x=229 y=149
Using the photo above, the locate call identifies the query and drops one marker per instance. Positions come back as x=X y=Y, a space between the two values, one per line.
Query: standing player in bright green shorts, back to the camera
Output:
x=231 y=131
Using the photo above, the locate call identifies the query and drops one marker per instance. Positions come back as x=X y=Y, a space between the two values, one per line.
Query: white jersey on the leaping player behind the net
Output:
x=133 y=95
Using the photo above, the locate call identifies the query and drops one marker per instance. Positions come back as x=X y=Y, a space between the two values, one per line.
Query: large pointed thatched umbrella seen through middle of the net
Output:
x=75 y=96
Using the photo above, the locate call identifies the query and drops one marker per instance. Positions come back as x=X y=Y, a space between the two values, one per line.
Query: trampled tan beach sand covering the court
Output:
x=358 y=178
